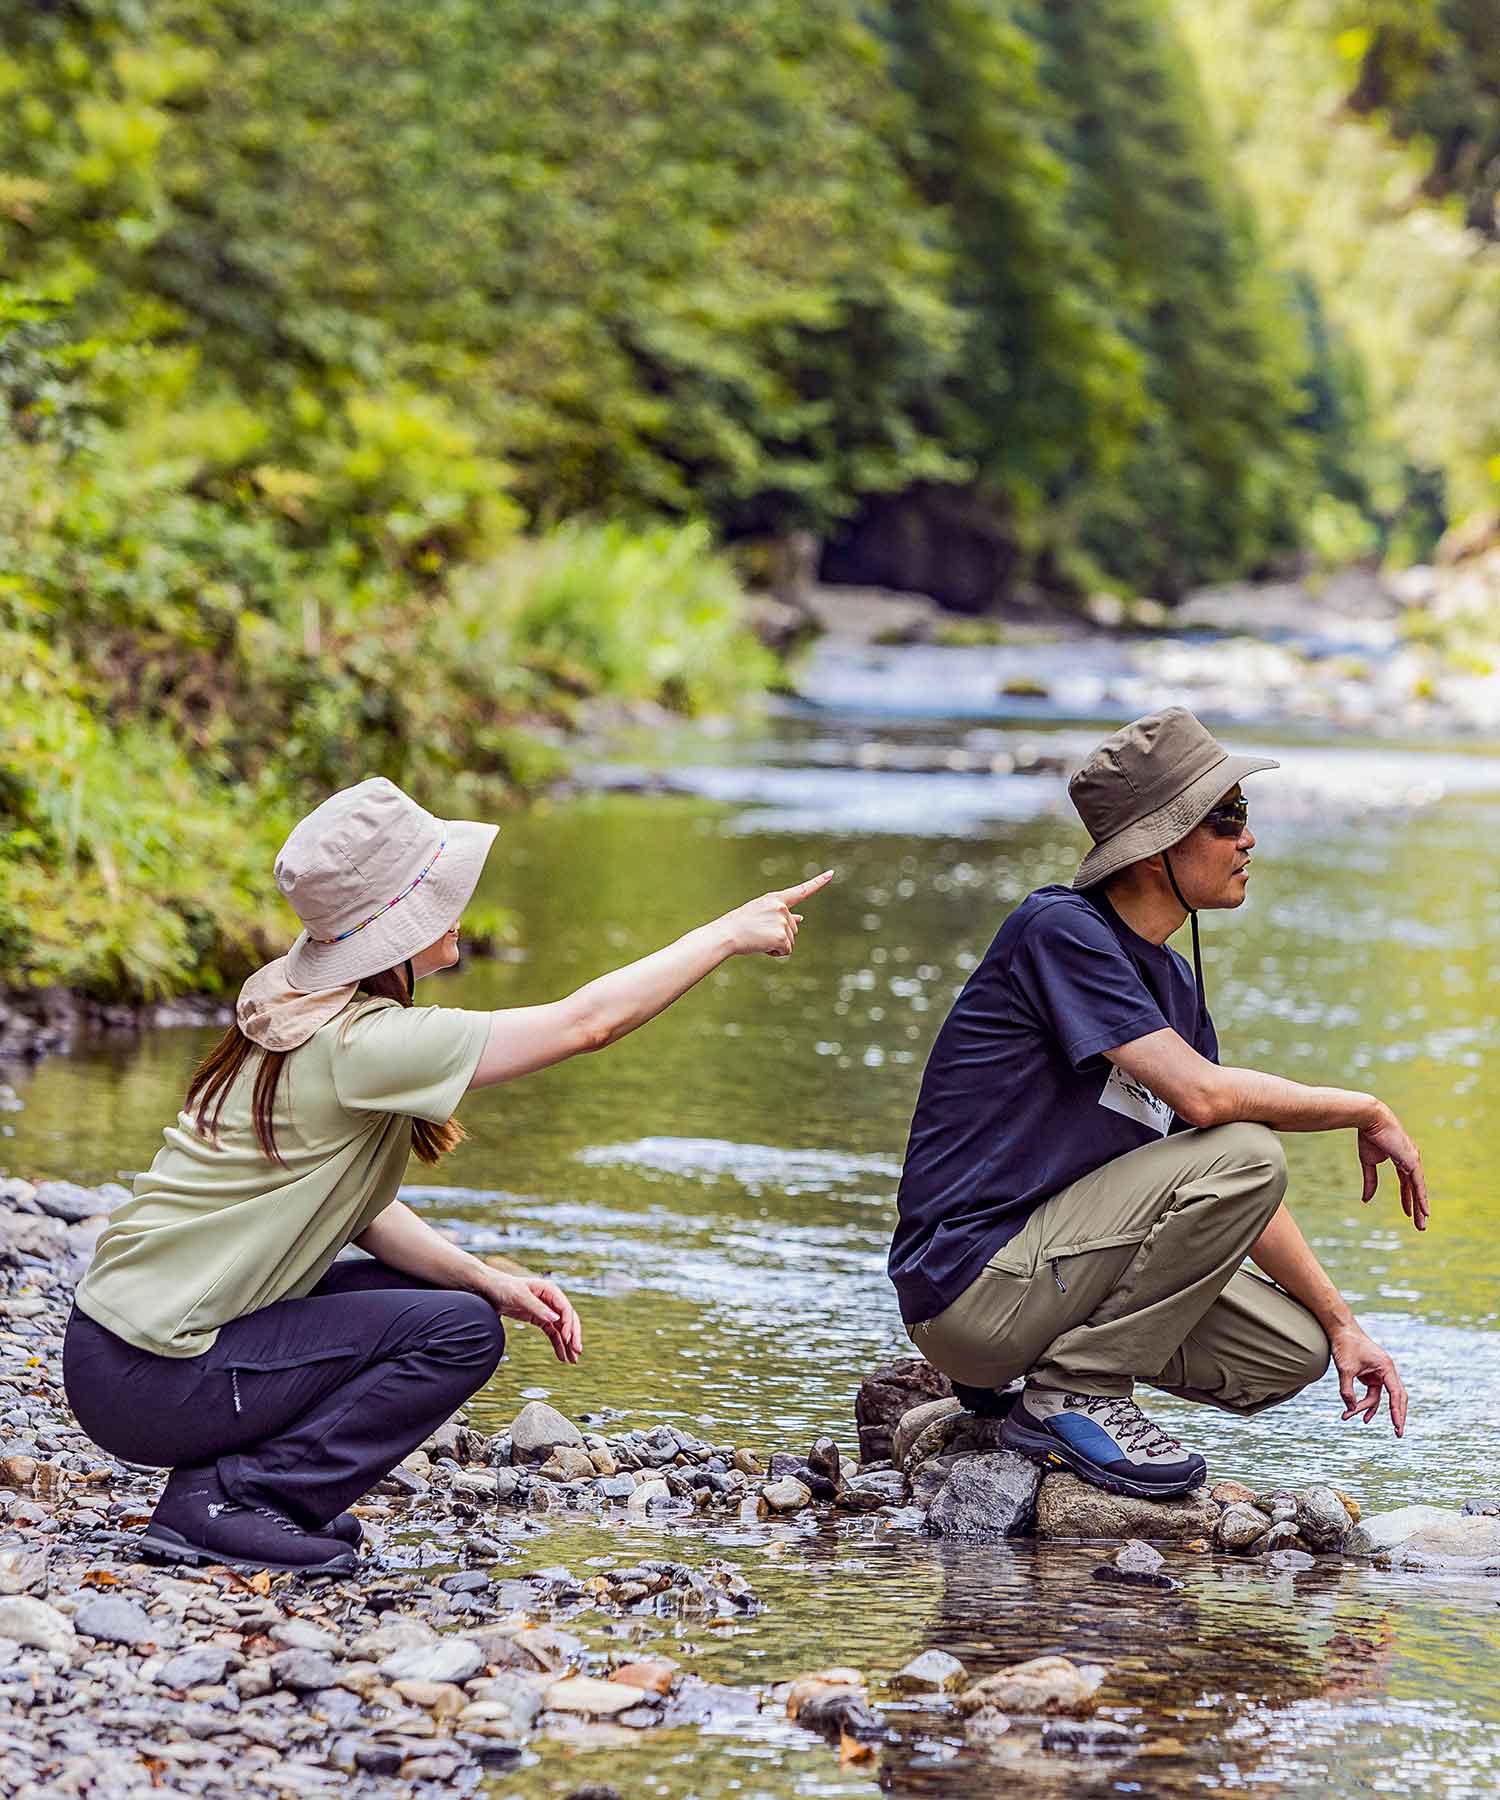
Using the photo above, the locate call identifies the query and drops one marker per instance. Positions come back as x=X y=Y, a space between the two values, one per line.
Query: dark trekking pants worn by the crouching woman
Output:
x=303 y=1405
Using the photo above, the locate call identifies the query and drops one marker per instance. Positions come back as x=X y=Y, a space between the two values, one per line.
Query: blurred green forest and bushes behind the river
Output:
x=379 y=382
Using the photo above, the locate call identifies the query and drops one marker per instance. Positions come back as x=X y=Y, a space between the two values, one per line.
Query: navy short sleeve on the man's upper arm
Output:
x=1083 y=989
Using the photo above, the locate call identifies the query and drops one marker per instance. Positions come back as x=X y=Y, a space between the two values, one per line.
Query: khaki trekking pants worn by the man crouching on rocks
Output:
x=1135 y=1273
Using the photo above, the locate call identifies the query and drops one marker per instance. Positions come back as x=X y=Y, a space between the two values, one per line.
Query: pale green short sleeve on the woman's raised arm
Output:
x=408 y=1059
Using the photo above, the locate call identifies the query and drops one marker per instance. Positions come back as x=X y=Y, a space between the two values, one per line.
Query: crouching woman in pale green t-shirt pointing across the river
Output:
x=215 y=1335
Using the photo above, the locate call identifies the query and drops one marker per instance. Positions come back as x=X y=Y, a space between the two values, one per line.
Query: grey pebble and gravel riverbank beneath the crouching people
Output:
x=460 y=1644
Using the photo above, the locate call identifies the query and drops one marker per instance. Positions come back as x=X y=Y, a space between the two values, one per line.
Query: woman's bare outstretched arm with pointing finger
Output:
x=534 y=1038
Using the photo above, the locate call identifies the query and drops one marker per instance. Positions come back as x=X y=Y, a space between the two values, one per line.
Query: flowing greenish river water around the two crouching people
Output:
x=718 y=1196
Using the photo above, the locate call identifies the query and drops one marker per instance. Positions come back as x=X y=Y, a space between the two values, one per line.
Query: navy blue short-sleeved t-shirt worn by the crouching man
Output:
x=1018 y=1099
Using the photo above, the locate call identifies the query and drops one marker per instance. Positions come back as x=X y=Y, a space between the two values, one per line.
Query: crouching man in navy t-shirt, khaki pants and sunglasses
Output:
x=1085 y=1180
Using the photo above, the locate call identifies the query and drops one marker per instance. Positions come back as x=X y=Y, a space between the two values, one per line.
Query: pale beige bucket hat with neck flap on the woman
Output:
x=374 y=877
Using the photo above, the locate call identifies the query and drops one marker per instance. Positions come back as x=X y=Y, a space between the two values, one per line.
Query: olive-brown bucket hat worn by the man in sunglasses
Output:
x=1150 y=786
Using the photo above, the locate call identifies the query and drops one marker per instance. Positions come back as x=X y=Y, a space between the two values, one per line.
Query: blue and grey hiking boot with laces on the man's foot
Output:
x=1103 y=1439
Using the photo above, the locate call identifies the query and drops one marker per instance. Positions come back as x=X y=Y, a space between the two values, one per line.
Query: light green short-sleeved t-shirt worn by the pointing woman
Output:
x=219 y=1230
